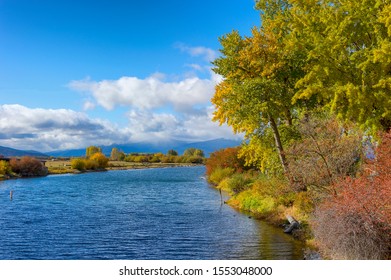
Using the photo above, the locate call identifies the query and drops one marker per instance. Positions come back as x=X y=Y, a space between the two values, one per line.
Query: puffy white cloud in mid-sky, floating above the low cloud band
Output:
x=149 y=93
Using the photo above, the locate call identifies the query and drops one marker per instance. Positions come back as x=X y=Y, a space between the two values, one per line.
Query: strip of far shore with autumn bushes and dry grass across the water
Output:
x=96 y=161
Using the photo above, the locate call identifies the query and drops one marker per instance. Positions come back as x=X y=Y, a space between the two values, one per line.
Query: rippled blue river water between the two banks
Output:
x=168 y=213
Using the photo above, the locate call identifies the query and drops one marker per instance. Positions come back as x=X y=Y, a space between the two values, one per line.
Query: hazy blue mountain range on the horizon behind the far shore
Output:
x=179 y=146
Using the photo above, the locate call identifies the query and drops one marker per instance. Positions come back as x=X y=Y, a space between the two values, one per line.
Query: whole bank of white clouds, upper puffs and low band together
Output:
x=157 y=109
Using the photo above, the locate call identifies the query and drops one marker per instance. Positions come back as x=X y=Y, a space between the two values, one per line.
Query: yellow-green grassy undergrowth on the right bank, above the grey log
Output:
x=268 y=198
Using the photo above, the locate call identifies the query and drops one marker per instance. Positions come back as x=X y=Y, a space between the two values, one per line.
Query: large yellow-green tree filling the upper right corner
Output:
x=347 y=51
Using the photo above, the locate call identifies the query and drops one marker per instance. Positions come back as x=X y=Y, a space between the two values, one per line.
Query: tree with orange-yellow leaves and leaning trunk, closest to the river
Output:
x=258 y=86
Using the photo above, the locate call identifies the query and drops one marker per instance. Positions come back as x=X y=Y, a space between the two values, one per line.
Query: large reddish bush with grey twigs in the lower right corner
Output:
x=356 y=222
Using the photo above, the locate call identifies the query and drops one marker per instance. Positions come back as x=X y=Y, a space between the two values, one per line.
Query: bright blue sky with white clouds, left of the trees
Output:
x=80 y=73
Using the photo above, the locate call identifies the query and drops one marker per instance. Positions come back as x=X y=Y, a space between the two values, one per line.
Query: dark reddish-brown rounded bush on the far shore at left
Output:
x=28 y=167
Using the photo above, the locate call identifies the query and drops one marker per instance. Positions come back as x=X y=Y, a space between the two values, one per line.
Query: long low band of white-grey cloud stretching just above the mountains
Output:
x=48 y=129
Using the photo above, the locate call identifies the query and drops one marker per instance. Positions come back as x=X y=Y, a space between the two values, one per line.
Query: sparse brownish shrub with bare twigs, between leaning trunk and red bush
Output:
x=326 y=152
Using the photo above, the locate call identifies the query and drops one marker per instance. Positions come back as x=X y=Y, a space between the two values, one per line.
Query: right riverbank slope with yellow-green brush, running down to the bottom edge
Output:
x=248 y=194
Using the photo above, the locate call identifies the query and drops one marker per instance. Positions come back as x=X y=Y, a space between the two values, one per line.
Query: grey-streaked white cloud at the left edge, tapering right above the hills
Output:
x=48 y=129
